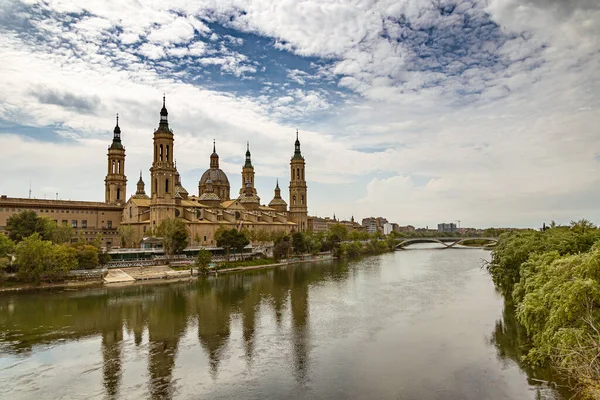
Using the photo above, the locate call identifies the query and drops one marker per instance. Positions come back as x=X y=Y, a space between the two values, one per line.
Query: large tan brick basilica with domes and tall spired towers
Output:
x=214 y=205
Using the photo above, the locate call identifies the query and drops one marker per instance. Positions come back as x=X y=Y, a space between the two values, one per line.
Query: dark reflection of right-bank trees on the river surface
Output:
x=510 y=339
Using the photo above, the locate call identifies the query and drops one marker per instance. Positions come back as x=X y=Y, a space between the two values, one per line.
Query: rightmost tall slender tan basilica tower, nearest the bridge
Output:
x=298 y=201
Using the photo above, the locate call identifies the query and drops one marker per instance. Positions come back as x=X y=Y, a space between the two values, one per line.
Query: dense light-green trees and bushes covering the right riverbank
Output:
x=553 y=279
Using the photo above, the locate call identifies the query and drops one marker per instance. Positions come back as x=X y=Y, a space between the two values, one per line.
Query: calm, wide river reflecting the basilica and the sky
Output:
x=417 y=324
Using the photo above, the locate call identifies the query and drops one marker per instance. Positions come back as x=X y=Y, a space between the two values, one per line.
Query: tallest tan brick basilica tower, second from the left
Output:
x=163 y=172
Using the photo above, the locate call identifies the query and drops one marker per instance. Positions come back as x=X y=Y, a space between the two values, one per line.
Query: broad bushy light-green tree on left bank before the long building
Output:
x=38 y=259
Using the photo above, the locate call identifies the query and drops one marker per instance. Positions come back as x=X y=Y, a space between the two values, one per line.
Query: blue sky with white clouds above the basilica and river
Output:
x=420 y=111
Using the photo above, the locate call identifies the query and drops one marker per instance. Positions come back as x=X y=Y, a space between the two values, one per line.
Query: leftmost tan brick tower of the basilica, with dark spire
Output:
x=116 y=182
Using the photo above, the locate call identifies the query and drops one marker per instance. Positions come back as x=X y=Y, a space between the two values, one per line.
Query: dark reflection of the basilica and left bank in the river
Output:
x=162 y=315
